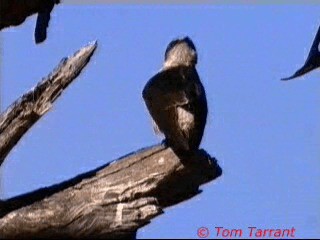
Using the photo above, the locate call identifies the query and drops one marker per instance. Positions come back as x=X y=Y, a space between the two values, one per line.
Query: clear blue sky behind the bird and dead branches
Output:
x=264 y=132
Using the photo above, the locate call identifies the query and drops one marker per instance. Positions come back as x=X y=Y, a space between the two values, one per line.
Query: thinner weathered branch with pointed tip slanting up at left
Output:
x=24 y=112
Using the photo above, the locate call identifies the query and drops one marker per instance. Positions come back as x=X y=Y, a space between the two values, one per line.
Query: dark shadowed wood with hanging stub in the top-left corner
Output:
x=14 y=12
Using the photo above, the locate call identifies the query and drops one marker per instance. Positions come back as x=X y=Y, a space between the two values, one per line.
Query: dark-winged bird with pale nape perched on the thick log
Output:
x=176 y=98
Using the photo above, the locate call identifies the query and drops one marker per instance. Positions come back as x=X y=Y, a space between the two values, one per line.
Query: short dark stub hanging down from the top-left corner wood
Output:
x=40 y=33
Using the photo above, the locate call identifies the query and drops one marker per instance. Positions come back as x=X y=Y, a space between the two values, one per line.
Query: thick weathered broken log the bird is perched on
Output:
x=112 y=201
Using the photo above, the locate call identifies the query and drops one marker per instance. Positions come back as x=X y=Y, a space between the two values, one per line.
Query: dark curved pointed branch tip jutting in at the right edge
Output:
x=313 y=59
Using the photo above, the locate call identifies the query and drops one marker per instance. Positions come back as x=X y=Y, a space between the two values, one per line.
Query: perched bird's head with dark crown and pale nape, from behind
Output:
x=180 y=52
